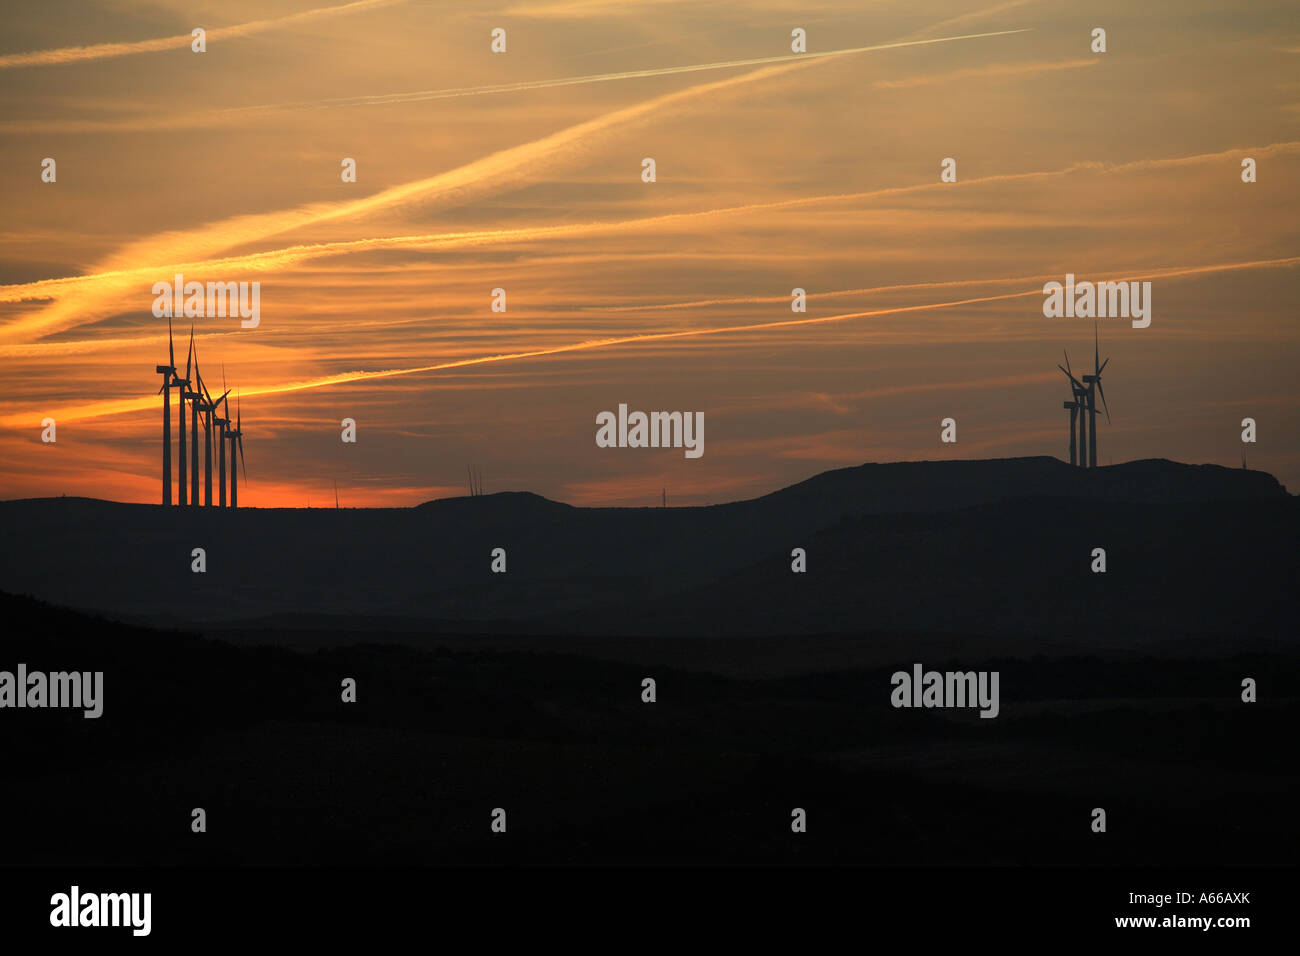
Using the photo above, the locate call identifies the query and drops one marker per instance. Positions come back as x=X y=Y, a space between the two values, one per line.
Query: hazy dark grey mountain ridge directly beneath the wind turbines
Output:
x=983 y=547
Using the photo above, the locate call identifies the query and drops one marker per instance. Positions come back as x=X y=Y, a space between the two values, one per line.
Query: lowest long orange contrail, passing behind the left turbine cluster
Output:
x=131 y=405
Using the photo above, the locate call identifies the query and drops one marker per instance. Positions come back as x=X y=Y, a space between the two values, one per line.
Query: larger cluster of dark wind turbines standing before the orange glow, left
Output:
x=202 y=405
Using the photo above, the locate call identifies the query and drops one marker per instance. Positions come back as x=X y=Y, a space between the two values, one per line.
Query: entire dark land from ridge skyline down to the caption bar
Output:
x=523 y=691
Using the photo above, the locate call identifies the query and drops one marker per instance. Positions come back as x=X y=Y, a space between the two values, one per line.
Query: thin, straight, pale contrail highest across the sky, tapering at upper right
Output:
x=601 y=77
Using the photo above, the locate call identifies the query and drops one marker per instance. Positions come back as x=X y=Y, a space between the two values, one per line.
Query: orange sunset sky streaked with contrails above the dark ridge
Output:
x=820 y=174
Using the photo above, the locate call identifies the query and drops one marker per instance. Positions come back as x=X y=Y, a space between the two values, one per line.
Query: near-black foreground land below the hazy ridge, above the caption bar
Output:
x=447 y=729
